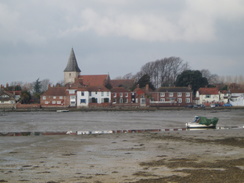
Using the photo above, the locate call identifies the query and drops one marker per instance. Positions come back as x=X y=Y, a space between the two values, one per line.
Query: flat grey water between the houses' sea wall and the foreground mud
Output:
x=119 y=120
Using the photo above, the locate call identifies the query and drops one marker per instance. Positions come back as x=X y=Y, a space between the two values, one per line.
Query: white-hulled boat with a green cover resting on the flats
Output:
x=202 y=122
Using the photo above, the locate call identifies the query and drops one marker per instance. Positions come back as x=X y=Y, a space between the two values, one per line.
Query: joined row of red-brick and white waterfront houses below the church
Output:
x=118 y=96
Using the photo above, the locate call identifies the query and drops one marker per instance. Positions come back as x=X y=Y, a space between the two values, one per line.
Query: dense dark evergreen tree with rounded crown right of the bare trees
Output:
x=191 y=78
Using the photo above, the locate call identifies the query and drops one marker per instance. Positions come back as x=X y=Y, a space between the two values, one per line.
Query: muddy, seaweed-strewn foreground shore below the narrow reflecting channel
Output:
x=182 y=156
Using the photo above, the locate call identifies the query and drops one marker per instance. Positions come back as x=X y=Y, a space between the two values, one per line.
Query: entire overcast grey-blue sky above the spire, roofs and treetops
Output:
x=118 y=36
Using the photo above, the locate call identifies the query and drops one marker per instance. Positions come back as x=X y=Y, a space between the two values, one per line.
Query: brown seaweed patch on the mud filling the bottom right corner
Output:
x=218 y=172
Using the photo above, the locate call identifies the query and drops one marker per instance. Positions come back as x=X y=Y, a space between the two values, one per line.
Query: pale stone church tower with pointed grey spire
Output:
x=72 y=70
